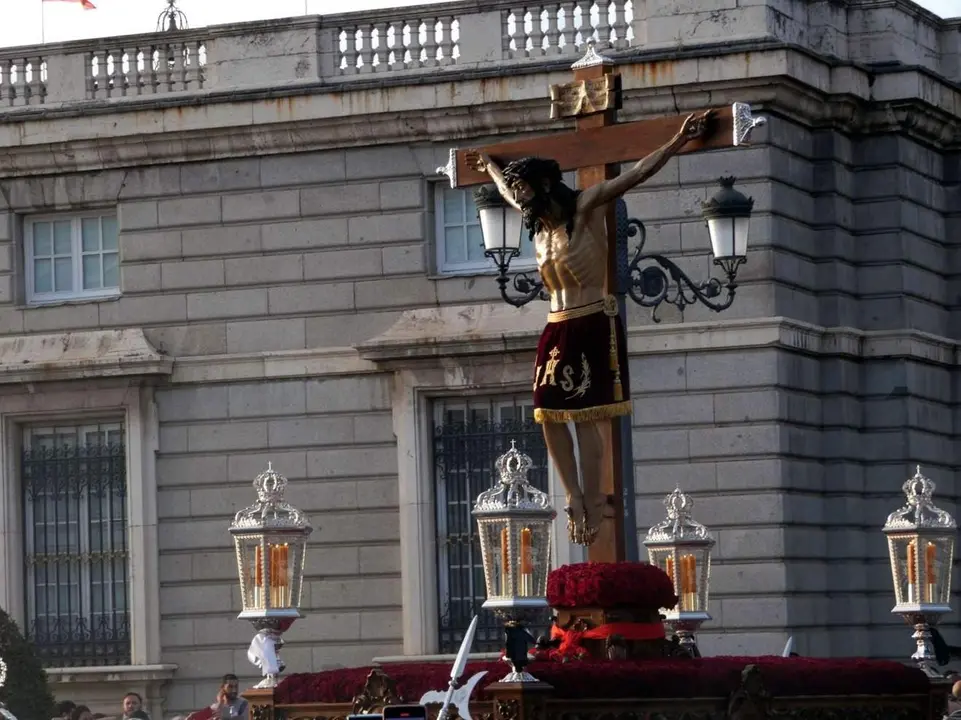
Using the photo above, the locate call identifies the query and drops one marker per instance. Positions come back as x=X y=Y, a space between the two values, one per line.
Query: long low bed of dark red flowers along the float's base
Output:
x=703 y=677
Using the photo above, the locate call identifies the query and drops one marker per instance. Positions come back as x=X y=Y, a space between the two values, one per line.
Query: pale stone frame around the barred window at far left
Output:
x=64 y=403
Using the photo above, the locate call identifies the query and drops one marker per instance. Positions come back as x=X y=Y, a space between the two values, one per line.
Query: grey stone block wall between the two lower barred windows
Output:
x=333 y=439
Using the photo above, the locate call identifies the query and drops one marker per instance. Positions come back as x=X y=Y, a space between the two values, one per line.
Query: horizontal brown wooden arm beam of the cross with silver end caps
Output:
x=607 y=145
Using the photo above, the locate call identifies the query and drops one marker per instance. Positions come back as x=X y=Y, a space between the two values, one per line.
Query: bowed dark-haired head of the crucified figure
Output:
x=539 y=190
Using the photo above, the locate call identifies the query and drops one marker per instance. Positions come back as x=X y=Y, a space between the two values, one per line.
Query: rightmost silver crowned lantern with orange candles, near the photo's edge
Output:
x=921 y=545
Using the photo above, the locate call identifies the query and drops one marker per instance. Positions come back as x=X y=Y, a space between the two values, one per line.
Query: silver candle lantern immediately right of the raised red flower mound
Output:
x=681 y=547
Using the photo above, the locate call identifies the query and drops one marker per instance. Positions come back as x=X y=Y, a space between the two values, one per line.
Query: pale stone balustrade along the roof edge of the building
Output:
x=458 y=36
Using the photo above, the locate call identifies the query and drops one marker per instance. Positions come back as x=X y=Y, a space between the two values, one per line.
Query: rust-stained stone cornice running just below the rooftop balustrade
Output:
x=192 y=128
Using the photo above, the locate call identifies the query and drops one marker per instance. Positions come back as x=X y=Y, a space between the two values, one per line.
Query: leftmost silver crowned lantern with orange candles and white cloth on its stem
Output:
x=270 y=538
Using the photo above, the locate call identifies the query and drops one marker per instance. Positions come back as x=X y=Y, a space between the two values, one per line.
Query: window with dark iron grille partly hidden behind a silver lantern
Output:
x=469 y=435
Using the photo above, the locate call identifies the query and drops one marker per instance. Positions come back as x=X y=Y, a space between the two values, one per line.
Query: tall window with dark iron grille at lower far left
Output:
x=75 y=531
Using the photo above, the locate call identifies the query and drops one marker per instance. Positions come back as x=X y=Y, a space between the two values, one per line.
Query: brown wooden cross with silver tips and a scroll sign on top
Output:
x=595 y=149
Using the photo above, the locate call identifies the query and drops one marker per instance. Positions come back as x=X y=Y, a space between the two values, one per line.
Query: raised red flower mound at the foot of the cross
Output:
x=610 y=585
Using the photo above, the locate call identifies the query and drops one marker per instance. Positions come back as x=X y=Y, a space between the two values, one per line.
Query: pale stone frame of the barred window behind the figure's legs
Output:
x=414 y=391
